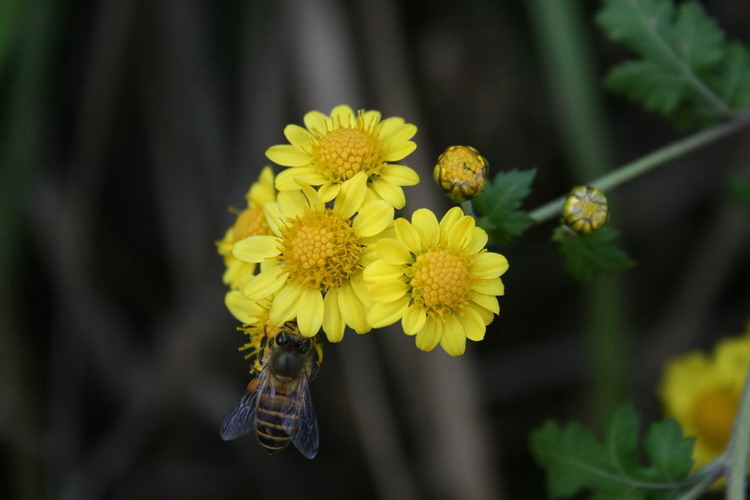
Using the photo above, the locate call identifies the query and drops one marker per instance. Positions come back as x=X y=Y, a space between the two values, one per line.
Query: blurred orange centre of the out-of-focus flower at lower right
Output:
x=714 y=416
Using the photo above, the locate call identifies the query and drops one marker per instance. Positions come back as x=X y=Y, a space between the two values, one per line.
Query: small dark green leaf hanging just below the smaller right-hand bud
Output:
x=591 y=255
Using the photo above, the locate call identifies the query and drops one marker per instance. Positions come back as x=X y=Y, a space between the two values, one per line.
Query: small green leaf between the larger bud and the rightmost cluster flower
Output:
x=500 y=202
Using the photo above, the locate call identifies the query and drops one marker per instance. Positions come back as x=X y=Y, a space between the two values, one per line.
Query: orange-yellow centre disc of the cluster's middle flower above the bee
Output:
x=321 y=250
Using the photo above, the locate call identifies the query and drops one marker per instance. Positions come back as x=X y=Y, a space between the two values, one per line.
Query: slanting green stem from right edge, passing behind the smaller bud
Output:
x=648 y=162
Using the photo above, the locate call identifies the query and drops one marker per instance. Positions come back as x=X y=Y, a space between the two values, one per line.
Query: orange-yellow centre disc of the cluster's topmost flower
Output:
x=341 y=153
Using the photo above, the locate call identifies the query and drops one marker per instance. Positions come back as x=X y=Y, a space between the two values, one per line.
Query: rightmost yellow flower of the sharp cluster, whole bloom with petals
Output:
x=438 y=279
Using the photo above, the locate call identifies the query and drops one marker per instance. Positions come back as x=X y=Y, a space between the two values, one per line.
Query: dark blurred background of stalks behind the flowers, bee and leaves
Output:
x=127 y=130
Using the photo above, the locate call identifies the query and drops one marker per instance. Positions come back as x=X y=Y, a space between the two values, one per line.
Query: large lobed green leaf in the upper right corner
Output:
x=685 y=69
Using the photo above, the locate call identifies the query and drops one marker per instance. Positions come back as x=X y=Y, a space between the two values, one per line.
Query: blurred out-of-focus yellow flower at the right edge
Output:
x=703 y=393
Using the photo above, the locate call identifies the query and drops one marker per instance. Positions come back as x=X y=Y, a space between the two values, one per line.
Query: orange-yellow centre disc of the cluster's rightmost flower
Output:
x=441 y=282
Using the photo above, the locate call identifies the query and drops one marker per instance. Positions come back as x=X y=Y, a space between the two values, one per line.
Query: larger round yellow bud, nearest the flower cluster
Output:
x=461 y=172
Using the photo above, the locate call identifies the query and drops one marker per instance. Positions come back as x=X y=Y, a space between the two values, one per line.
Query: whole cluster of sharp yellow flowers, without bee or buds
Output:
x=319 y=243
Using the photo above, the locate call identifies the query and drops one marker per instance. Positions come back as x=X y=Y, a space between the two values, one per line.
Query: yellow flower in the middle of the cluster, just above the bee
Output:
x=315 y=257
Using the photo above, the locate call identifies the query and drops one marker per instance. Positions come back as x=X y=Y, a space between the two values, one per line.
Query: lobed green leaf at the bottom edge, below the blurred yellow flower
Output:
x=576 y=461
